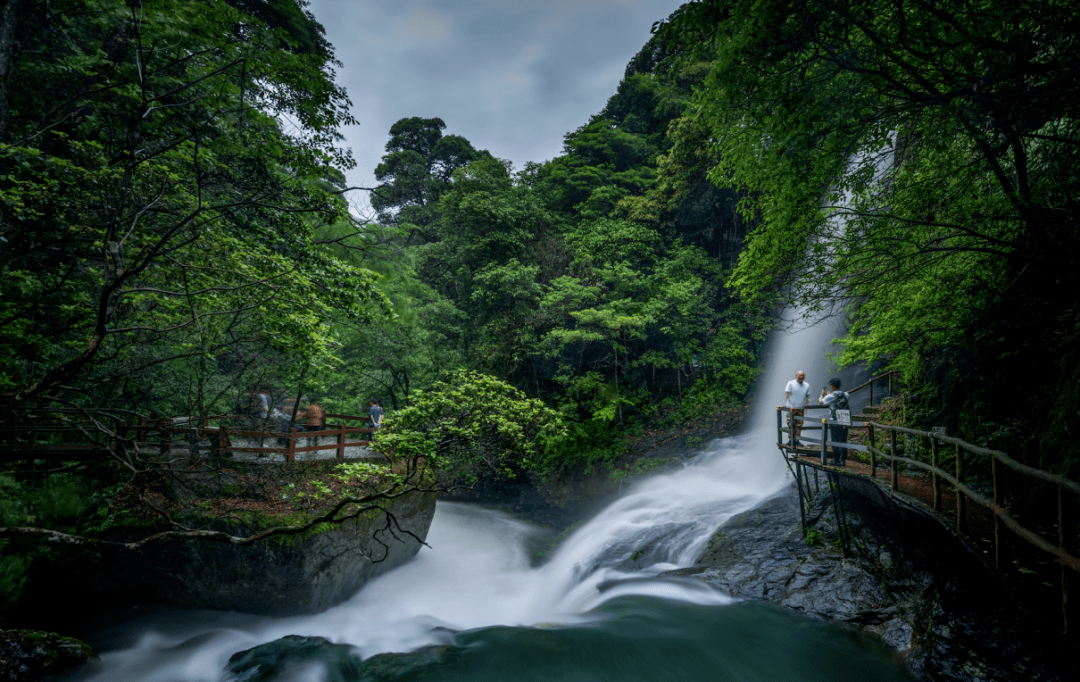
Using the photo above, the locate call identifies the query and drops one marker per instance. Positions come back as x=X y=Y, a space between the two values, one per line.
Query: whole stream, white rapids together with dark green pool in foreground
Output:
x=595 y=611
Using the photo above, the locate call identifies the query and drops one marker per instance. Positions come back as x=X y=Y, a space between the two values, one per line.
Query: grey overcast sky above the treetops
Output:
x=510 y=76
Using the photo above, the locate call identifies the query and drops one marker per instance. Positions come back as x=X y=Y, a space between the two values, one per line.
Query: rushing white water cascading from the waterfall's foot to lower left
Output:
x=477 y=572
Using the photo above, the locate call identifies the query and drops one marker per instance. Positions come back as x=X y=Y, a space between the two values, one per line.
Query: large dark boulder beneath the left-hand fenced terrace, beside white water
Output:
x=283 y=576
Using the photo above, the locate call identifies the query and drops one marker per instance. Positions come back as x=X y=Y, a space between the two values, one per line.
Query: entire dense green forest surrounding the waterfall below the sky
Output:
x=174 y=235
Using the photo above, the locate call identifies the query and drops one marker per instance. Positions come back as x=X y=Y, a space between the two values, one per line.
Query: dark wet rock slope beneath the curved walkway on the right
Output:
x=907 y=579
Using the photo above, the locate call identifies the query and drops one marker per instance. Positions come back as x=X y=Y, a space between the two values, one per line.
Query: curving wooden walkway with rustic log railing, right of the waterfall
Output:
x=1035 y=561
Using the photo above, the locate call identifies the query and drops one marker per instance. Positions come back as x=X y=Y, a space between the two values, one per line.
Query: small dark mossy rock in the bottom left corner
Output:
x=36 y=656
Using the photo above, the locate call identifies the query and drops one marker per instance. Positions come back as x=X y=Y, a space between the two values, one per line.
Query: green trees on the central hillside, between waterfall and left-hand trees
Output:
x=583 y=280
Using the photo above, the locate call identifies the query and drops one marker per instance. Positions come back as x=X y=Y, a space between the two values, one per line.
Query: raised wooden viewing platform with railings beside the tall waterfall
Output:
x=960 y=485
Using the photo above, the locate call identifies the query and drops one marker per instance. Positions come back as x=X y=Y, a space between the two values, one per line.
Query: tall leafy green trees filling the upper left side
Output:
x=160 y=221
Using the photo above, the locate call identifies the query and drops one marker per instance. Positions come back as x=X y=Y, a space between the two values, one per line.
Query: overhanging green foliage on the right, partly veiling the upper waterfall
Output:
x=917 y=162
